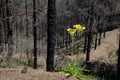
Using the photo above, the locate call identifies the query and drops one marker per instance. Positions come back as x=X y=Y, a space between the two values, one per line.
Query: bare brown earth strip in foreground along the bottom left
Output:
x=15 y=74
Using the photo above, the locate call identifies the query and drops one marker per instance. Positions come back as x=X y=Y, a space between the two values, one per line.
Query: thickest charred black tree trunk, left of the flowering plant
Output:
x=51 y=15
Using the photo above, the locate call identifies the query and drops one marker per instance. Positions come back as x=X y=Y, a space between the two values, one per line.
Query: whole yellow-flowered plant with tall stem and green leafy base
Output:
x=72 y=67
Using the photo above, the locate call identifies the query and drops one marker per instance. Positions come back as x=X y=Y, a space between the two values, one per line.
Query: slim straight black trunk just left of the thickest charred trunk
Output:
x=35 y=35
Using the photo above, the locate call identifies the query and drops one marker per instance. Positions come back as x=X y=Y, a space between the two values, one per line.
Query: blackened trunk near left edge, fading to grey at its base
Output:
x=7 y=30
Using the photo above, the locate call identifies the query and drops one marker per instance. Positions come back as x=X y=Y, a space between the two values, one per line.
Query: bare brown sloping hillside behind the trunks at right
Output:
x=108 y=47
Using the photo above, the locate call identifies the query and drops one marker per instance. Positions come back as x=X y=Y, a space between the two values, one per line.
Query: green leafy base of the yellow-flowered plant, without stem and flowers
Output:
x=72 y=68
